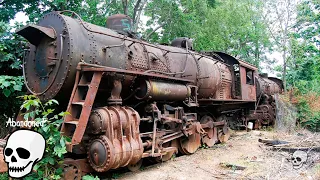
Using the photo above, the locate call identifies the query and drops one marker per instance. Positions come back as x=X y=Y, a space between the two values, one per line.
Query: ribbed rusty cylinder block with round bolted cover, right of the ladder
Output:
x=121 y=144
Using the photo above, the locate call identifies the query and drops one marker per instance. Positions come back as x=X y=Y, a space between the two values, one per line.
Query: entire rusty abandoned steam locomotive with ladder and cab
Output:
x=129 y=99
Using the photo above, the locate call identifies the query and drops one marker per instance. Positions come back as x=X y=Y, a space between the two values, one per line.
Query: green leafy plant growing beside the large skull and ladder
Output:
x=55 y=143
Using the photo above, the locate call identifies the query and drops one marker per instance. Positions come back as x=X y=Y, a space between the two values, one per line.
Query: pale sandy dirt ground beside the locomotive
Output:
x=243 y=149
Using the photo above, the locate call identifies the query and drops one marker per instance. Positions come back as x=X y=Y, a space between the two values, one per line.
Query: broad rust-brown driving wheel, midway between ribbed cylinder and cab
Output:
x=189 y=145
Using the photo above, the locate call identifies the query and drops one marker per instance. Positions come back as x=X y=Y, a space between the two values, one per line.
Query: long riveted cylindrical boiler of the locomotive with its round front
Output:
x=50 y=66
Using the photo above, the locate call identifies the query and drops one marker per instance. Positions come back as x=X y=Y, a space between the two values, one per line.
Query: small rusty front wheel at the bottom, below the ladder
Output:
x=72 y=170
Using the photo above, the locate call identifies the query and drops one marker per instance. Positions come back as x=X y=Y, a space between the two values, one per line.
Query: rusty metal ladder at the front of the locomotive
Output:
x=80 y=105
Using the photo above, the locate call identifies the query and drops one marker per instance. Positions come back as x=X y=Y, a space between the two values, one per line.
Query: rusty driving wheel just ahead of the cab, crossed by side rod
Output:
x=210 y=138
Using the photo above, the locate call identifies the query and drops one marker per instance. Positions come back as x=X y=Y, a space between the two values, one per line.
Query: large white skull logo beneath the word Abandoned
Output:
x=23 y=150
